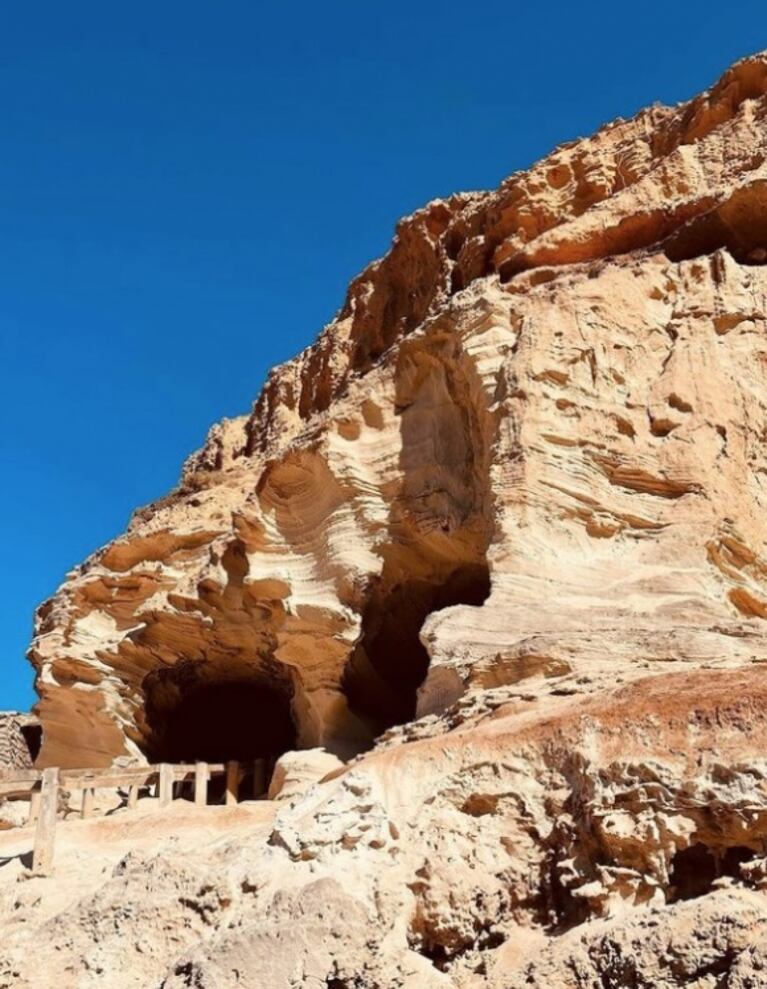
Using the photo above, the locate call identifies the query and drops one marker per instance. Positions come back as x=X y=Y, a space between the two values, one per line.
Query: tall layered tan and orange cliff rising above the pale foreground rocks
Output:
x=529 y=446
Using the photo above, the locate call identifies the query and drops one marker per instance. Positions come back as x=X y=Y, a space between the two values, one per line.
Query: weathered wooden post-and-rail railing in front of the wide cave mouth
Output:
x=44 y=788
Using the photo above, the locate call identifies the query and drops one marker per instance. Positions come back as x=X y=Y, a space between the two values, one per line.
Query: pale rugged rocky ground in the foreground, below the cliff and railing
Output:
x=614 y=840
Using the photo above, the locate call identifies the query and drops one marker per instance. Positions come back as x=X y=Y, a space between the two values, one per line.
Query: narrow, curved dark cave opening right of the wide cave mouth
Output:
x=390 y=662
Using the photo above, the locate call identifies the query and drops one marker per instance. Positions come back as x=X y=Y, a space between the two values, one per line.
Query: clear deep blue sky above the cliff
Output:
x=186 y=189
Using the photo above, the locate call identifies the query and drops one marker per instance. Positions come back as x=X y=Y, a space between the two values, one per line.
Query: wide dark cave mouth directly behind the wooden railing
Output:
x=199 y=717
